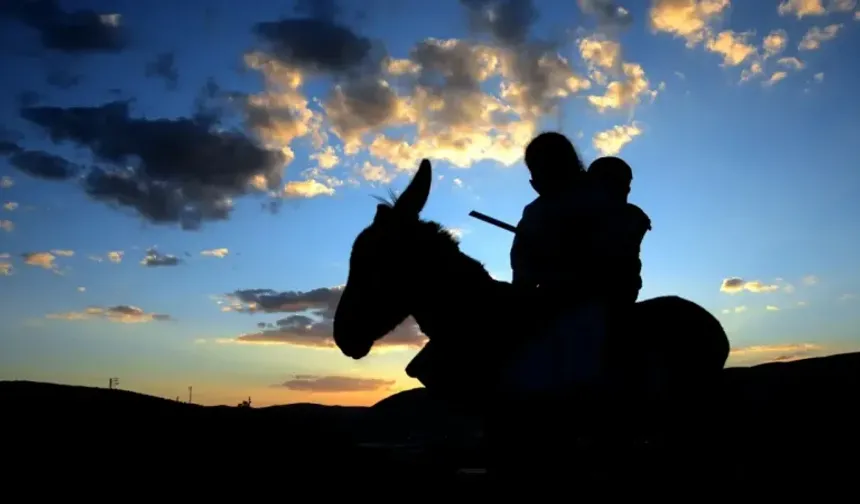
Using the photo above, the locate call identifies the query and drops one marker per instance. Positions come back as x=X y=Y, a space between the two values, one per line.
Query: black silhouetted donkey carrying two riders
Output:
x=477 y=326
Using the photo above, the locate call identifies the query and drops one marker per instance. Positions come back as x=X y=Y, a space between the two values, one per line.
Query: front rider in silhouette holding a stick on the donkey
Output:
x=551 y=251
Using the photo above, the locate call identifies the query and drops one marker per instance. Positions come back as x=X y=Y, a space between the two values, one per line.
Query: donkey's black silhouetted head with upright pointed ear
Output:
x=384 y=269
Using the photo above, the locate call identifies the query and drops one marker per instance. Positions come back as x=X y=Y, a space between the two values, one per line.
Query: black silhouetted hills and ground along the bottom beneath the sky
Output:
x=781 y=427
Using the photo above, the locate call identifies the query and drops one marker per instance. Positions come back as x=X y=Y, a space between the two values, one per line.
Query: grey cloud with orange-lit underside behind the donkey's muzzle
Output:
x=309 y=321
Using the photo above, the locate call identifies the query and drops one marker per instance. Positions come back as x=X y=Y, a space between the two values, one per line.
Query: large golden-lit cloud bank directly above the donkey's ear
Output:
x=436 y=92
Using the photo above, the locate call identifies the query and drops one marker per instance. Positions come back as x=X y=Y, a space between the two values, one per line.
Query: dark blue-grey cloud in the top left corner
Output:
x=77 y=31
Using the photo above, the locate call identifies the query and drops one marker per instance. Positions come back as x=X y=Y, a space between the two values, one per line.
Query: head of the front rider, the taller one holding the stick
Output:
x=552 y=161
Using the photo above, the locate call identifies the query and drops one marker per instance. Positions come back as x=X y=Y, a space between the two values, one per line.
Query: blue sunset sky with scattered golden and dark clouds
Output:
x=182 y=181
